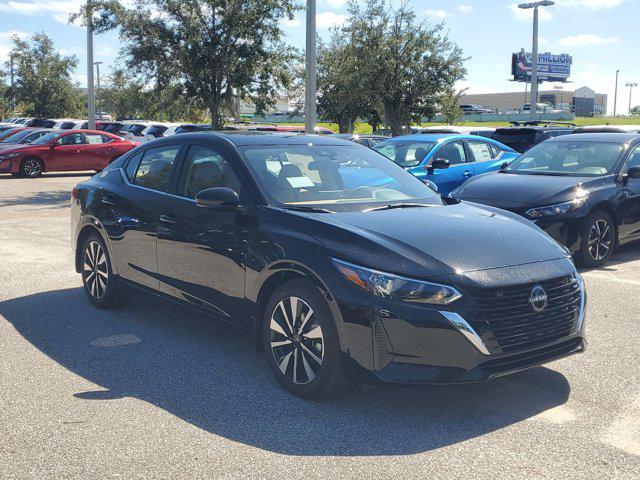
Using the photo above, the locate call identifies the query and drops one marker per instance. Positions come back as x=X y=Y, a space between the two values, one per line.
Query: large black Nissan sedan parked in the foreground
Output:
x=339 y=263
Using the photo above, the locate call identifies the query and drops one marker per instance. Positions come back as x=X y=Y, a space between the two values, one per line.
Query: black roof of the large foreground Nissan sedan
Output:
x=243 y=138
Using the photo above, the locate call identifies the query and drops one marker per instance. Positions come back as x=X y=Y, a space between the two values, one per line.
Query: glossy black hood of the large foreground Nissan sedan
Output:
x=432 y=241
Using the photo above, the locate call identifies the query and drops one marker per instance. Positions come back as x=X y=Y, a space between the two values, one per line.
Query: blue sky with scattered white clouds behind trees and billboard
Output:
x=601 y=35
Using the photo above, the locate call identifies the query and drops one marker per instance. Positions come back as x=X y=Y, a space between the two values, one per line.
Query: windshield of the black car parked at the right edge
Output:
x=577 y=159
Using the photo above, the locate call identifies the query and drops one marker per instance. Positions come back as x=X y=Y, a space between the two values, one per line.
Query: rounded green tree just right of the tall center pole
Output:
x=384 y=65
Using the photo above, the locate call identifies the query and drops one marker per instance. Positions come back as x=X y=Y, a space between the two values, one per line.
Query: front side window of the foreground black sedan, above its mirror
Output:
x=205 y=167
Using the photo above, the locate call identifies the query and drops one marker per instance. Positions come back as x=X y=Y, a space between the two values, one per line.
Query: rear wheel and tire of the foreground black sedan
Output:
x=101 y=286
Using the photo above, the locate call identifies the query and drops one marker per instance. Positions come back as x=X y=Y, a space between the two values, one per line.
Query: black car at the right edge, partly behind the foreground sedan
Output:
x=584 y=190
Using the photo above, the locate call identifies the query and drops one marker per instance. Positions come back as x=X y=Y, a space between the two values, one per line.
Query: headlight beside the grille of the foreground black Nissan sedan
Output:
x=388 y=285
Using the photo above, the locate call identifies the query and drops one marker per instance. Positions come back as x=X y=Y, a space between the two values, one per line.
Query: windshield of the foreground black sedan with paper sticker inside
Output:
x=336 y=177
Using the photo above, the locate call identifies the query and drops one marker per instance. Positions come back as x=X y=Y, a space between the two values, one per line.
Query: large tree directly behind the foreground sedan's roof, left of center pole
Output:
x=209 y=50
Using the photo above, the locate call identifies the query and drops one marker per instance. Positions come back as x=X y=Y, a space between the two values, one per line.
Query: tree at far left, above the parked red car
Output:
x=43 y=79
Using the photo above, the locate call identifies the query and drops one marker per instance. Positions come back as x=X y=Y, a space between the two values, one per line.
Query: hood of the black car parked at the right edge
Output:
x=515 y=191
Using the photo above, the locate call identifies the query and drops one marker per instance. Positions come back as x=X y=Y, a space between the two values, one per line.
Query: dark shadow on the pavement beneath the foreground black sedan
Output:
x=211 y=376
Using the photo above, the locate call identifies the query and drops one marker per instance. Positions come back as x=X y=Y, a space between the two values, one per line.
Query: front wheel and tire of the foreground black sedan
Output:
x=294 y=363
